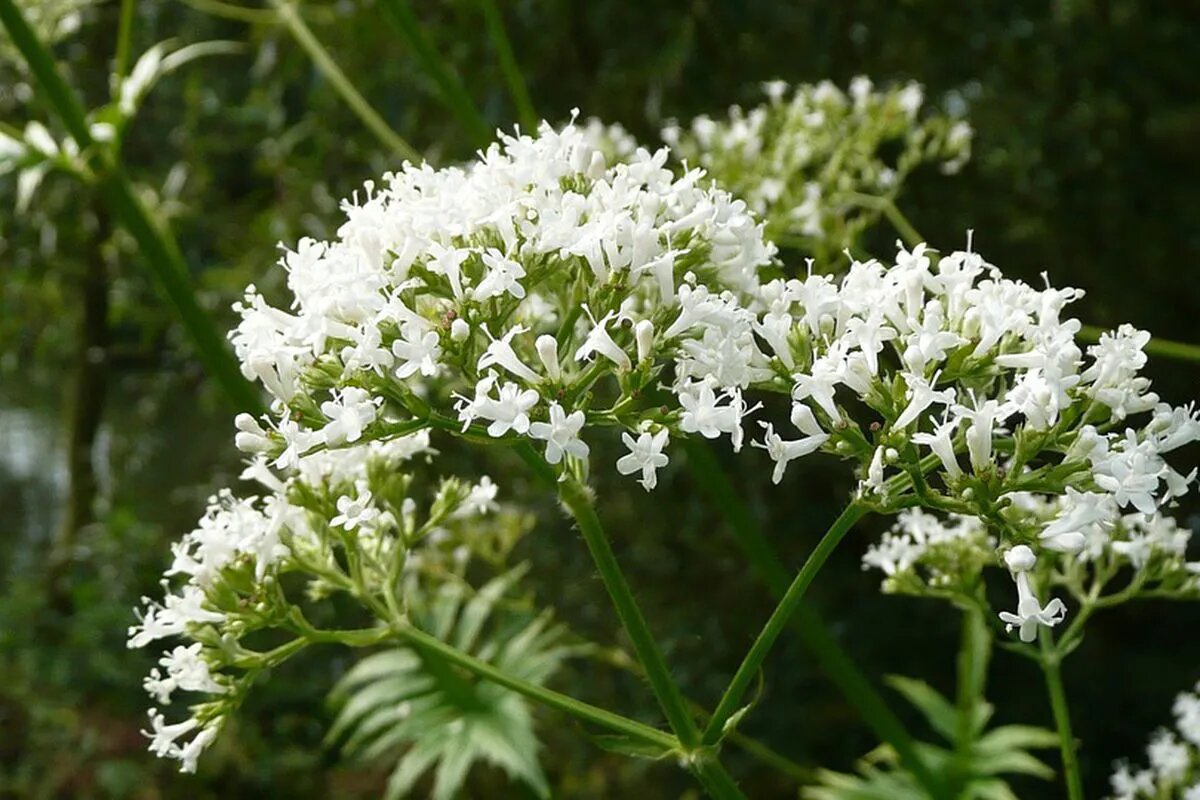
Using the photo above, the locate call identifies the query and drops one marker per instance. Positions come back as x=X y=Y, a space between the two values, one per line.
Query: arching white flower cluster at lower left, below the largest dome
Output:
x=344 y=521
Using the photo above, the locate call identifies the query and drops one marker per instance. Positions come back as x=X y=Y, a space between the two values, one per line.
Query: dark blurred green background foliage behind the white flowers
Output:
x=1087 y=117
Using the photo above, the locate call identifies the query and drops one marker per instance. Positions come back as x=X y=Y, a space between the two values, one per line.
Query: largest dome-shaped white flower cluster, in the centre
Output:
x=502 y=294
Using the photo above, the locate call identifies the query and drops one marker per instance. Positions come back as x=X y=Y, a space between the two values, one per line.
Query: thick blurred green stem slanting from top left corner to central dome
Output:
x=160 y=252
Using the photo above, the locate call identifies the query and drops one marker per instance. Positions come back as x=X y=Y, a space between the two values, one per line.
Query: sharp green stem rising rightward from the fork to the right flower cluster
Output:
x=777 y=622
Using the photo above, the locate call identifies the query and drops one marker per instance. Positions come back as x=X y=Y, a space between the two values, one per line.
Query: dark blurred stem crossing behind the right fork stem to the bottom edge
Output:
x=837 y=664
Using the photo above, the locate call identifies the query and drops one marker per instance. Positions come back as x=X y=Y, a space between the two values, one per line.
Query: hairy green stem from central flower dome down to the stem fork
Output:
x=575 y=497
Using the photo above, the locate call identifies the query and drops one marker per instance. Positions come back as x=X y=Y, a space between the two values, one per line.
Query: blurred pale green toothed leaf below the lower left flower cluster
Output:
x=412 y=701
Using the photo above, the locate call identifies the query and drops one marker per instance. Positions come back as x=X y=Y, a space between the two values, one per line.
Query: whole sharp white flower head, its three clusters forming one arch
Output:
x=542 y=294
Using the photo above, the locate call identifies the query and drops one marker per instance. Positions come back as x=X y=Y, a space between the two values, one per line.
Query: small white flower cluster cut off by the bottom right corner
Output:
x=1174 y=759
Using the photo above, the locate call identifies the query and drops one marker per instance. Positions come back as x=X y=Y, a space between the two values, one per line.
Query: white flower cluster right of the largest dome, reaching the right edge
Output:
x=963 y=392
